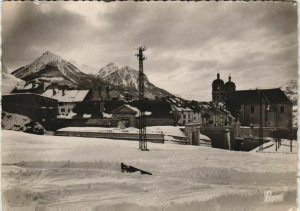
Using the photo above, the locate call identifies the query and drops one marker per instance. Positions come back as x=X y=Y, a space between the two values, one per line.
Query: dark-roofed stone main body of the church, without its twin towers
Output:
x=271 y=106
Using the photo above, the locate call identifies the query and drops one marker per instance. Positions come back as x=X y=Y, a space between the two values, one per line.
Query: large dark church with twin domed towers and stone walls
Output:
x=271 y=107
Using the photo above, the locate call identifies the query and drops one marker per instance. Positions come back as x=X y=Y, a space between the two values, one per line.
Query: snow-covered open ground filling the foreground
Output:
x=65 y=173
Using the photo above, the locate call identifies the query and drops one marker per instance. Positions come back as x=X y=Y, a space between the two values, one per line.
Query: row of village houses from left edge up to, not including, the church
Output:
x=62 y=107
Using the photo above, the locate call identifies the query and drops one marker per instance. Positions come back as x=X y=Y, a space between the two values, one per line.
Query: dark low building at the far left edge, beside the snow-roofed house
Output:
x=36 y=107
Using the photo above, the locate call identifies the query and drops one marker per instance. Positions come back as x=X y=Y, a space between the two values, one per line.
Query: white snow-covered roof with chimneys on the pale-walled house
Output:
x=69 y=95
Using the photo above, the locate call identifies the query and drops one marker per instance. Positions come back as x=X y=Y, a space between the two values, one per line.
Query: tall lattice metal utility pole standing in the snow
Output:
x=142 y=118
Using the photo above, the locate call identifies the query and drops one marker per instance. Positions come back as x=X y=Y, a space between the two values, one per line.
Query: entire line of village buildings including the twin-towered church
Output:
x=107 y=107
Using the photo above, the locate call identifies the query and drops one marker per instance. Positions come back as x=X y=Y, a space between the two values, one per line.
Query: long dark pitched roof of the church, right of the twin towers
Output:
x=272 y=96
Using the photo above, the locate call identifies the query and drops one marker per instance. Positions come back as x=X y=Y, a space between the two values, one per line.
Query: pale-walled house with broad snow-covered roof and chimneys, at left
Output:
x=67 y=99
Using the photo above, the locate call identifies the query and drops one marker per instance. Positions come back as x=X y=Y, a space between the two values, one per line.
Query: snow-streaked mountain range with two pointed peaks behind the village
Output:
x=51 y=68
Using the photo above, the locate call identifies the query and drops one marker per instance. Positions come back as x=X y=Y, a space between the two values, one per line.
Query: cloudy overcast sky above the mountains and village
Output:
x=187 y=43
